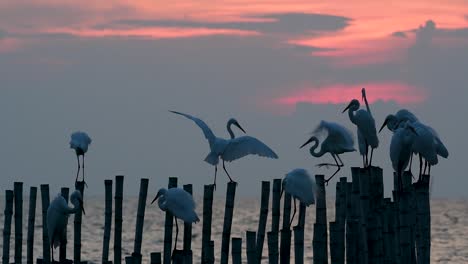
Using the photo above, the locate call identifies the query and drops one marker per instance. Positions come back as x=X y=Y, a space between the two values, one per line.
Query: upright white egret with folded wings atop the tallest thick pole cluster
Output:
x=366 y=131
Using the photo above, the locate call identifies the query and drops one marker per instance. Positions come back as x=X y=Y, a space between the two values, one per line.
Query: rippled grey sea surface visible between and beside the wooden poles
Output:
x=449 y=229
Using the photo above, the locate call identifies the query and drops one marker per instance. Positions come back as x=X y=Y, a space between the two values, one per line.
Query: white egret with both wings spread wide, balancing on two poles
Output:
x=230 y=149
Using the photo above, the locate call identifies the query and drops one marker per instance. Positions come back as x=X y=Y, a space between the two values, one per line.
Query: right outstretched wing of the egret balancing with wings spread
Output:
x=243 y=146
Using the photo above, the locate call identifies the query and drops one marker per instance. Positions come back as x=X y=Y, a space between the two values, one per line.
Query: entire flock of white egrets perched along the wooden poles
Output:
x=410 y=137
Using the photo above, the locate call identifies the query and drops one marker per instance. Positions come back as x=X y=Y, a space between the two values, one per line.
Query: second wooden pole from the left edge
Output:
x=18 y=196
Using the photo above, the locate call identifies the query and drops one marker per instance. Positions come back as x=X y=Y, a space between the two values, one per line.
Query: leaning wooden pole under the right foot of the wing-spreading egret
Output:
x=228 y=213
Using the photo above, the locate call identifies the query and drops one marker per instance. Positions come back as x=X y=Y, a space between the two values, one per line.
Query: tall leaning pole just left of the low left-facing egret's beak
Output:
x=140 y=220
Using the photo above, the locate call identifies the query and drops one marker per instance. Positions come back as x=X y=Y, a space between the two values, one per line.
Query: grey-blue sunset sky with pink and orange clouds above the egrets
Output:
x=115 y=68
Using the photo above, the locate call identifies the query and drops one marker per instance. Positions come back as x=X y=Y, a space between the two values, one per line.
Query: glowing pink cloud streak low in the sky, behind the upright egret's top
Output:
x=343 y=93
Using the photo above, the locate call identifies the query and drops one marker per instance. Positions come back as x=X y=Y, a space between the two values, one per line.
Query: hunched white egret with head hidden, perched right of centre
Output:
x=301 y=186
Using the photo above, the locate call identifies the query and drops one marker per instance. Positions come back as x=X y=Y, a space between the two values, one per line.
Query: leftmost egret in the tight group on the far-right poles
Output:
x=401 y=149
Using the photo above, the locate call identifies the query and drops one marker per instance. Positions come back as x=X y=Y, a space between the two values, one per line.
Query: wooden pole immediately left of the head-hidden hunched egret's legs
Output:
x=285 y=243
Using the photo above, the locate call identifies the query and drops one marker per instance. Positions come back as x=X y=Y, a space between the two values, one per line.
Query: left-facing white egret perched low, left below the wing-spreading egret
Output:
x=179 y=203
